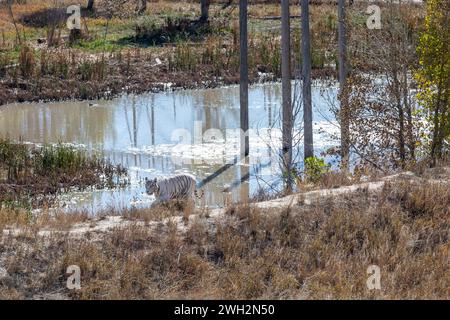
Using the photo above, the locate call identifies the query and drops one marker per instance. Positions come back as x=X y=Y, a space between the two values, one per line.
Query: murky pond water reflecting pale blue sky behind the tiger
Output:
x=136 y=131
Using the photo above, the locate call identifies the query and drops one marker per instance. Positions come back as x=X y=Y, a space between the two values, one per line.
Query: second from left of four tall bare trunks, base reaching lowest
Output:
x=286 y=88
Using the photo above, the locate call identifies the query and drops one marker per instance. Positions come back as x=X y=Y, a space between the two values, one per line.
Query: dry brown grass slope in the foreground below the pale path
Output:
x=303 y=252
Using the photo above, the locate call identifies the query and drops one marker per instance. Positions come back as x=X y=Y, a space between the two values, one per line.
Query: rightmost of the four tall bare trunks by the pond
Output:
x=344 y=112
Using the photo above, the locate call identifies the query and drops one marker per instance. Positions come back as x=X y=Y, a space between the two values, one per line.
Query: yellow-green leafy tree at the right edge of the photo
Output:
x=433 y=75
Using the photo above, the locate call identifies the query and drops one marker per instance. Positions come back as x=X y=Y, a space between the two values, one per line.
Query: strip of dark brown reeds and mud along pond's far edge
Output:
x=142 y=78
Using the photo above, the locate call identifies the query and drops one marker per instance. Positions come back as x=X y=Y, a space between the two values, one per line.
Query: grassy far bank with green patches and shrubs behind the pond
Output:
x=120 y=52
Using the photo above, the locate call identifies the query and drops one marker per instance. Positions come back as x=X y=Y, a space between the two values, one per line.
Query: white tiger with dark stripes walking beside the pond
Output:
x=179 y=187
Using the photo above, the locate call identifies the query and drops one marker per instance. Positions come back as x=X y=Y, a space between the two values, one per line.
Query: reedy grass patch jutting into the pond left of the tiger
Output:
x=32 y=176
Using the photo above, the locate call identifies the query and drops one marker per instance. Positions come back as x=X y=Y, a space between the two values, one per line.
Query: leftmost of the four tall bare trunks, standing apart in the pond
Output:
x=243 y=38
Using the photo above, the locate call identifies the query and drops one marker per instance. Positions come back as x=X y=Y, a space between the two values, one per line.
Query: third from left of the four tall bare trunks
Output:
x=306 y=77
